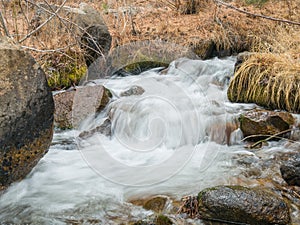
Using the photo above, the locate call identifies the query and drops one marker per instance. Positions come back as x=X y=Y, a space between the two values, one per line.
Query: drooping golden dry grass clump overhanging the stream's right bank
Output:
x=270 y=80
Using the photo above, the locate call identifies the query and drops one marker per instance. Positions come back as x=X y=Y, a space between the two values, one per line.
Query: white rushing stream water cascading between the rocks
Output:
x=175 y=139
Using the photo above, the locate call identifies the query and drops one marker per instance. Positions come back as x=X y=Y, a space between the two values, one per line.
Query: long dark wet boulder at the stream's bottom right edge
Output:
x=236 y=204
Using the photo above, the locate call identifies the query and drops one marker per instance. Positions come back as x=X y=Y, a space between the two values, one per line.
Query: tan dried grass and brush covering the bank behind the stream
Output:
x=203 y=25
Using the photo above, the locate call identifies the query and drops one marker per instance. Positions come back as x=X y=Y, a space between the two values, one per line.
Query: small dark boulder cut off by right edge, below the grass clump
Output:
x=290 y=171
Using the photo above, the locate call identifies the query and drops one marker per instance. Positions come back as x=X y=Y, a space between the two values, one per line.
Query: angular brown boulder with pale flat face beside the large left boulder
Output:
x=72 y=107
